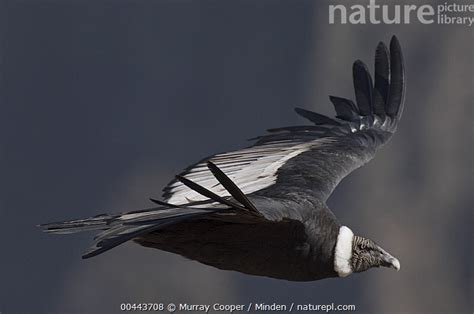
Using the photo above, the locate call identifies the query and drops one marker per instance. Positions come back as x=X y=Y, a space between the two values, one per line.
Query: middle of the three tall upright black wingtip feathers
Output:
x=382 y=73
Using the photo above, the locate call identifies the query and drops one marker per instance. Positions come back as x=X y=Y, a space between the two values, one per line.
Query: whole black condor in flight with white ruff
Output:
x=262 y=210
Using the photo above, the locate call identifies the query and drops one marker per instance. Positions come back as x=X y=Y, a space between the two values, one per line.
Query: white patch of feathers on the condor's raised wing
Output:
x=252 y=169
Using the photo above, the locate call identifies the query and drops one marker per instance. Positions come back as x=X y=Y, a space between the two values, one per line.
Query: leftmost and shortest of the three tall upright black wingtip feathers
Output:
x=363 y=88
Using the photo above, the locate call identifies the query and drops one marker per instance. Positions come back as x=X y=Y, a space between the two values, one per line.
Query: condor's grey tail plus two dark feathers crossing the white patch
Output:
x=119 y=228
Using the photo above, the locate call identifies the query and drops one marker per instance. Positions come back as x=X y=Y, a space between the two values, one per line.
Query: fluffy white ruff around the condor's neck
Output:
x=343 y=252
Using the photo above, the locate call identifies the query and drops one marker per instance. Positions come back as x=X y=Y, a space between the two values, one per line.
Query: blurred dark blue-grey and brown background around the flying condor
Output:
x=102 y=102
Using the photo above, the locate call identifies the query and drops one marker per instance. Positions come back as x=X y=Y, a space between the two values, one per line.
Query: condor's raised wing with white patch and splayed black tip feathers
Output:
x=312 y=159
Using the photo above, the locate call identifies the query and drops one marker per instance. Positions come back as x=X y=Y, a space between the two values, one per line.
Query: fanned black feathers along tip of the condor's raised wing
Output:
x=379 y=102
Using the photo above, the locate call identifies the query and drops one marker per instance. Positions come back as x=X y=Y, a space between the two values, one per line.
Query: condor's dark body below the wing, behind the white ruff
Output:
x=280 y=250
